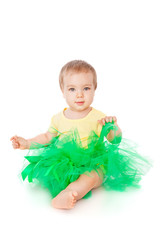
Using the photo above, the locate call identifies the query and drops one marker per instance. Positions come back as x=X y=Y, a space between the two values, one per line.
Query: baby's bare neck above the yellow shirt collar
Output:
x=71 y=114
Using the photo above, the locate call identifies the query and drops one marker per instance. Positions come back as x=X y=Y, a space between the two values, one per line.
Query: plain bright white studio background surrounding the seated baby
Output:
x=121 y=40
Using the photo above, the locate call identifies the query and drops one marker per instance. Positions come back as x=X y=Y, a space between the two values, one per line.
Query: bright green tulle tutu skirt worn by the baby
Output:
x=57 y=164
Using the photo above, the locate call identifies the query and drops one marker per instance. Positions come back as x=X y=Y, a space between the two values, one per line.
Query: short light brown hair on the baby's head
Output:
x=77 y=66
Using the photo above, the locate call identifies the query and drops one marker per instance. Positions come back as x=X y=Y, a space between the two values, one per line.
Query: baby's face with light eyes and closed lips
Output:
x=78 y=90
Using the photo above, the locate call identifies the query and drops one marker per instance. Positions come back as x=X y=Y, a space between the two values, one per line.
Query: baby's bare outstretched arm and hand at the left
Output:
x=22 y=143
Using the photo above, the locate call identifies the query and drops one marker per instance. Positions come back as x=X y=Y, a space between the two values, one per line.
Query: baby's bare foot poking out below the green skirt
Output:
x=65 y=199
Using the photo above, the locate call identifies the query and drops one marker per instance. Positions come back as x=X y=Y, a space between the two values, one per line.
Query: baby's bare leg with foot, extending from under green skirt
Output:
x=67 y=198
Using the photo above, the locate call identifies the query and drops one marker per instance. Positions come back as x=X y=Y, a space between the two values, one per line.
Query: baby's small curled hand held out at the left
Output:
x=19 y=143
